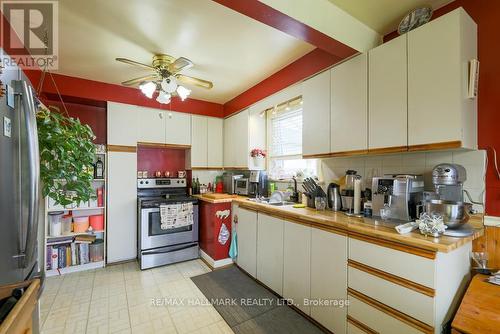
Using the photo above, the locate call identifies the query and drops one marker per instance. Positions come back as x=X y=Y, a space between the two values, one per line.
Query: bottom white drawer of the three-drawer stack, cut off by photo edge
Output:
x=376 y=320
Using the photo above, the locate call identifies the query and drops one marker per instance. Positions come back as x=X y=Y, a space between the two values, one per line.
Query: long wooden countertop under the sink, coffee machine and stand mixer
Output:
x=341 y=223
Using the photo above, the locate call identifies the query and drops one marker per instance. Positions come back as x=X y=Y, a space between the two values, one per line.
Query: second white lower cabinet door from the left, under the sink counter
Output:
x=270 y=252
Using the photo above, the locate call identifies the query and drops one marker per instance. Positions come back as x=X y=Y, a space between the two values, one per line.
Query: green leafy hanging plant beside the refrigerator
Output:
x=67 y=155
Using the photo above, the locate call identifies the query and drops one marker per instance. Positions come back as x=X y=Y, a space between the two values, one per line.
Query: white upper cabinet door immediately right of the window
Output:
x=316 y=115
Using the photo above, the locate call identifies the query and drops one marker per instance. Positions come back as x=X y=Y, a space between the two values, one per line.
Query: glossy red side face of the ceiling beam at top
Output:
x=278 y=20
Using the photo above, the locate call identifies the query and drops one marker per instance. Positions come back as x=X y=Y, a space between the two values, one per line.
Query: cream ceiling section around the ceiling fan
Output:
x=234 y=51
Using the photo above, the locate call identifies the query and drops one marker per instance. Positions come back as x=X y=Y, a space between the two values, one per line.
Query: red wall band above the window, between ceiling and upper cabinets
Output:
x=302 y=68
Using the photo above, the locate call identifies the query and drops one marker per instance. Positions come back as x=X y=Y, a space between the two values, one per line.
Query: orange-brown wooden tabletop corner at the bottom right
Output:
x=479 y=311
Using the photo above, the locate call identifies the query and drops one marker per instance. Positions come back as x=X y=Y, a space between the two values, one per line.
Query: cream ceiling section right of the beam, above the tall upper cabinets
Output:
x=383 y=16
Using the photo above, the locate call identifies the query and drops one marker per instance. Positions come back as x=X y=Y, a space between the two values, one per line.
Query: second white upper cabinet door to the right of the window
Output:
x=349 y=100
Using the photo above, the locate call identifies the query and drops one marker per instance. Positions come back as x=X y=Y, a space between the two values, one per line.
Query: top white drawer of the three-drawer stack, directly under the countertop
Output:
x=412 y=267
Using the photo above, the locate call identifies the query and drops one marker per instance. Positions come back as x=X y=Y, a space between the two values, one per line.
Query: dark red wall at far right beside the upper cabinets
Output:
x=486 y=14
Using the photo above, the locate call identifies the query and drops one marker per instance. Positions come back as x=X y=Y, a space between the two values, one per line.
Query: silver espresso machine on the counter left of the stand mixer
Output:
x=398 y=195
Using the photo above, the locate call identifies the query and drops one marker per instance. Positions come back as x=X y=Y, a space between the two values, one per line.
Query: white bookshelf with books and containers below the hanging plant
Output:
x=78 y=211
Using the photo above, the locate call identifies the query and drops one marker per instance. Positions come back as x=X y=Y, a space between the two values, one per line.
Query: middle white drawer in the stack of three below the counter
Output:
x=405 y=300
